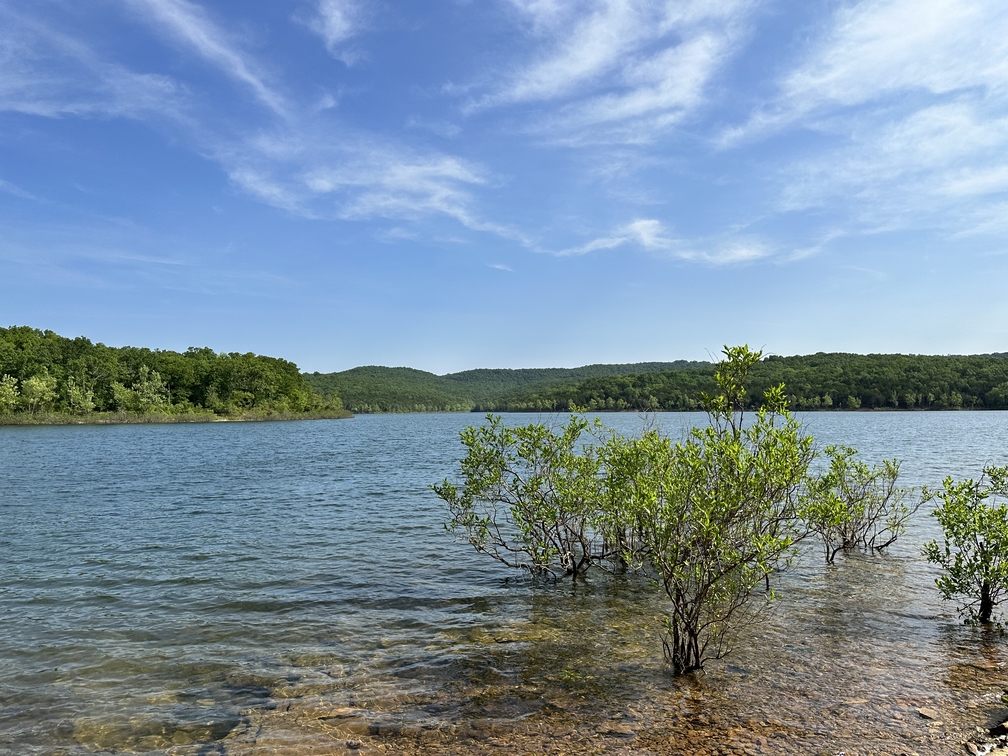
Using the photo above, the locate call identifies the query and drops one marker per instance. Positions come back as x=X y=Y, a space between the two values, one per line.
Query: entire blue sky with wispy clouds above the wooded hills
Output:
x=451 y=185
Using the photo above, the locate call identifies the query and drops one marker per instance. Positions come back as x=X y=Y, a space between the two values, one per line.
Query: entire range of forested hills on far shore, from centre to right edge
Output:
x=821 y=382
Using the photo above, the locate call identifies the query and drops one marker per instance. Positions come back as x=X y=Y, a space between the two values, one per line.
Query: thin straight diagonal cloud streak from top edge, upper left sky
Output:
x=192 y=25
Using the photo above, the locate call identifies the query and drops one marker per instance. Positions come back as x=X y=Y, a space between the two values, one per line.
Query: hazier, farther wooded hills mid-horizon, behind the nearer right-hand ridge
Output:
x=381 y=390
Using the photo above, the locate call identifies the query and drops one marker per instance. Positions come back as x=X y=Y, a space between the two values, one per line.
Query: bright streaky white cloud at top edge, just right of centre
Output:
x=619 y=70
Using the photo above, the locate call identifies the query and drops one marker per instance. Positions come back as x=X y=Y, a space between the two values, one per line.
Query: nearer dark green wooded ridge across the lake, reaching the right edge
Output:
x=821 y=382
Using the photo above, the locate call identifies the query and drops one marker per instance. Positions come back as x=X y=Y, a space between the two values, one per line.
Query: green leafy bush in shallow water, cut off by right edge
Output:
x=974 y=556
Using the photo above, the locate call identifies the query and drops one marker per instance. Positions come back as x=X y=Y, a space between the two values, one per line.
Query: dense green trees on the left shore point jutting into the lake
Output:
x=44 y=373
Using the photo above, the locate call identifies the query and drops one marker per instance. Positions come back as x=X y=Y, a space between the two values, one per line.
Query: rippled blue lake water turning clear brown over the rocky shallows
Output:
x=289 y=588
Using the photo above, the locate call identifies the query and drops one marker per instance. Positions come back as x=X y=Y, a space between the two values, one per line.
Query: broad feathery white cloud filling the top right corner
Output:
x=909 y=101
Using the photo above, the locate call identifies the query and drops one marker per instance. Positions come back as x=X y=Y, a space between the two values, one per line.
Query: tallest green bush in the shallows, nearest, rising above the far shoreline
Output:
x=719 y=513
